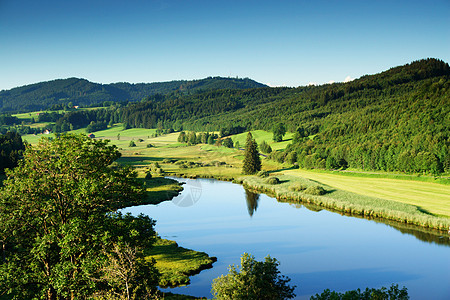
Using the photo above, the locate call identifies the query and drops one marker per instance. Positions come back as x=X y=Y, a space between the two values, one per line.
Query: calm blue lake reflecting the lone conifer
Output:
x=317 y=249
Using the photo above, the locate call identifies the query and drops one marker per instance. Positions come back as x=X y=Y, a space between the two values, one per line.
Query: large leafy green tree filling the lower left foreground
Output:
x=56 y=226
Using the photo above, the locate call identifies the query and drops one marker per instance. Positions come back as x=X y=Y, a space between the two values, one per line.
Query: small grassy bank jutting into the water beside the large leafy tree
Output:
x=176 y=263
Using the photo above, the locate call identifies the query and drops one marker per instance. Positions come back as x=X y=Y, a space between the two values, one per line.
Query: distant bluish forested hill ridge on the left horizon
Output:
x=82 y=92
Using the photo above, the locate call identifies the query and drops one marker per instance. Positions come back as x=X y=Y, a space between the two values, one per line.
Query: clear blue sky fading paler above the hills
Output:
x=289 y=43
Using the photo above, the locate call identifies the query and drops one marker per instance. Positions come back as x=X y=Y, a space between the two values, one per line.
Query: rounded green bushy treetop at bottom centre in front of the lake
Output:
x=253 y=280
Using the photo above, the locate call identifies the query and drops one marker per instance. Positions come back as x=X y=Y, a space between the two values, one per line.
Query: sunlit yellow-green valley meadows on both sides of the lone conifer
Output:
x=176 y=159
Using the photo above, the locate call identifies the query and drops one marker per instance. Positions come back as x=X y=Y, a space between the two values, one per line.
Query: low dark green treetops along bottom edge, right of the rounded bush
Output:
x=393 y=293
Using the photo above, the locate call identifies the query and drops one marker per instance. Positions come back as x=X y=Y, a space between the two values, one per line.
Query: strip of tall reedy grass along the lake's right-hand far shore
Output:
x=295 y=189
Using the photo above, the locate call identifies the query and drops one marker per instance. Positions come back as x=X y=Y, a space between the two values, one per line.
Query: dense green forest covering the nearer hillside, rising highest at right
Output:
x=397 y=120
